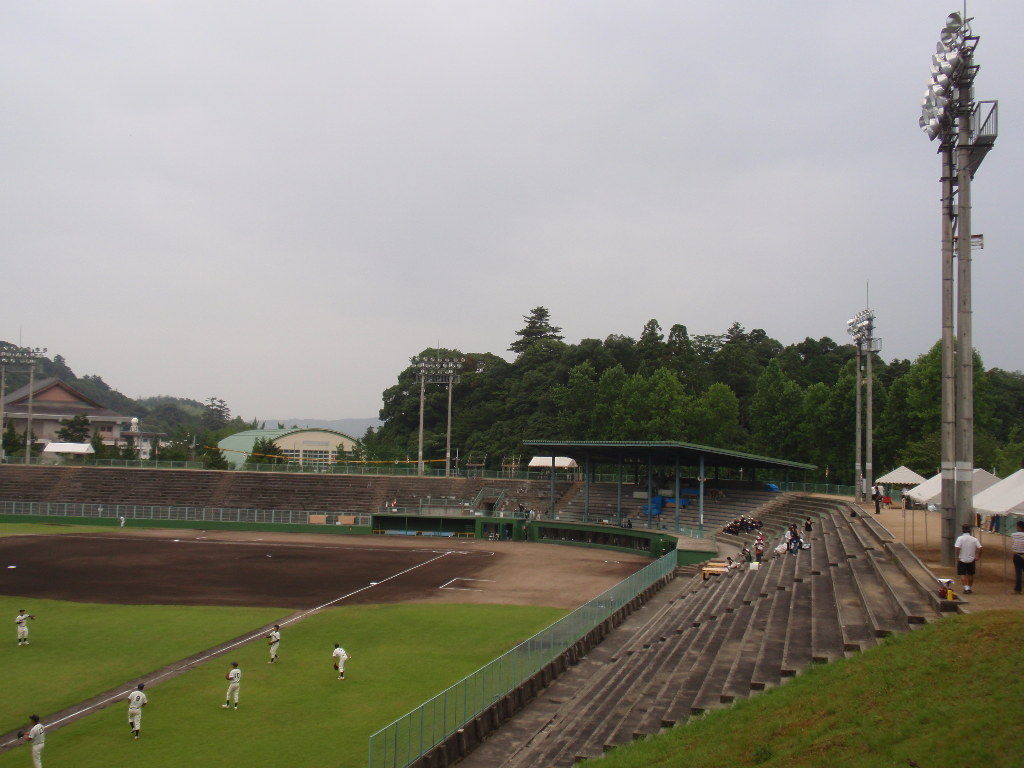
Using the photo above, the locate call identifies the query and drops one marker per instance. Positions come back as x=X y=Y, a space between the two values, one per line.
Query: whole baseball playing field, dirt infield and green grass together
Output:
x=175 y=609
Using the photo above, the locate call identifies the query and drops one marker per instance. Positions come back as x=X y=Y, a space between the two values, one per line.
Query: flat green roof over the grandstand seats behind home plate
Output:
x=688 y=453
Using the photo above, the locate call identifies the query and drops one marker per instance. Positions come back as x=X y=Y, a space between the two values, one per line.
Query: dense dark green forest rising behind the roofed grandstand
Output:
x=740 y=390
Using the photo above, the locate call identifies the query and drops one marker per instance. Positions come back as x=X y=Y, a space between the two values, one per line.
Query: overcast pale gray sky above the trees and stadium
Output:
x=278 y=203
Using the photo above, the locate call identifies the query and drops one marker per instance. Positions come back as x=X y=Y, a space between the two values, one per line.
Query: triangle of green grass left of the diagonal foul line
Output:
x=81 y=650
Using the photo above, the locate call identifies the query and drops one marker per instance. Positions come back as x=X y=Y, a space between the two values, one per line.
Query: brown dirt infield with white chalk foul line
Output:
x=195 y=568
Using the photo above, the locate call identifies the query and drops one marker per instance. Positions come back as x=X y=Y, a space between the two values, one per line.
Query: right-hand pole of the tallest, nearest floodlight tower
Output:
x=965 y=346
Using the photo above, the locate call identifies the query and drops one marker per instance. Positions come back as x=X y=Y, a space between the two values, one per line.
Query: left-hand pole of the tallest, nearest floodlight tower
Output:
x=949 y=499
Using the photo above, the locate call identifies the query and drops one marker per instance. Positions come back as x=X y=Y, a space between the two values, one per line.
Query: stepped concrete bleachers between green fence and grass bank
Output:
x=721 y=639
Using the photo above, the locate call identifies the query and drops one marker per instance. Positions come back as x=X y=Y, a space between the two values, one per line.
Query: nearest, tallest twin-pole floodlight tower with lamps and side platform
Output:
x=967 y=132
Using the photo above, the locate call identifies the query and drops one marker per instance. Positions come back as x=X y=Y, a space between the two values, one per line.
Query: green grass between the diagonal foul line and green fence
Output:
x=296 y=714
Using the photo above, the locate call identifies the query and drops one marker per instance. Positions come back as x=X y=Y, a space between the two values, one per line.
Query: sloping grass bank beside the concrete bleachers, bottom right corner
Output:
x=949 y=695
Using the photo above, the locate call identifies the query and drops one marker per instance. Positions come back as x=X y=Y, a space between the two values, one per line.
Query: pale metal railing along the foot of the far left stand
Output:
x=157 y=513
